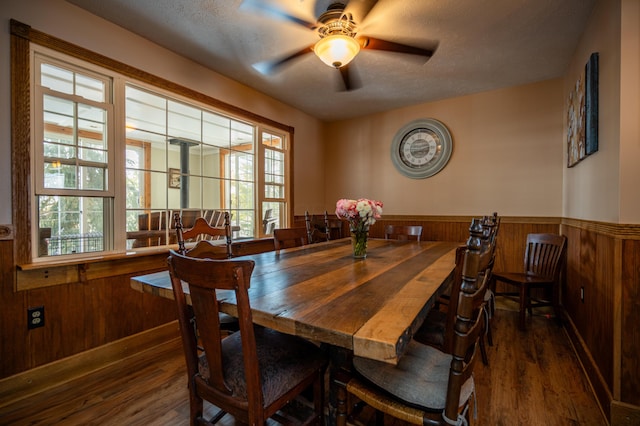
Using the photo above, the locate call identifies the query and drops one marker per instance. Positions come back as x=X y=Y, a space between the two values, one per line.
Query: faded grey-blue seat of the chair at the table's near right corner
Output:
x=420 y=378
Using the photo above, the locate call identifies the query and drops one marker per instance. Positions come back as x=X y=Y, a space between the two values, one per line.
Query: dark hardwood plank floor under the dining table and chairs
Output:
x=533 y=378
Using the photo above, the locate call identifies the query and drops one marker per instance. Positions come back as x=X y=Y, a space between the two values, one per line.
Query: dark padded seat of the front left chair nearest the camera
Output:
x=284 y=361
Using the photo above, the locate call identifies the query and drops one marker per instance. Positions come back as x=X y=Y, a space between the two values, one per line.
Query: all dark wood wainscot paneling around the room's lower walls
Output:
x=603 y=260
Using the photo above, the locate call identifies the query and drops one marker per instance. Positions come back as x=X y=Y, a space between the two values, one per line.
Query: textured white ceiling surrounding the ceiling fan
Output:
x=481 y=45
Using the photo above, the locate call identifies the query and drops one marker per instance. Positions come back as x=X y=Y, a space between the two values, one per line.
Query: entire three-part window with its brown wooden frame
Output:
x=115 y=152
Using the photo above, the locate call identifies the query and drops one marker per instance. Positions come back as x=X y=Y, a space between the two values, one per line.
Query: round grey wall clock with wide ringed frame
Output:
x=421 y=148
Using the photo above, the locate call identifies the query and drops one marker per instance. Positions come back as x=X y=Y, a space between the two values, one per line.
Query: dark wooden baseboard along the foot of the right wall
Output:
x=598 y=384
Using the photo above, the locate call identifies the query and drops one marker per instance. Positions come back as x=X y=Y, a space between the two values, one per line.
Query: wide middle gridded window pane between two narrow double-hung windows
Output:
x=196 y=161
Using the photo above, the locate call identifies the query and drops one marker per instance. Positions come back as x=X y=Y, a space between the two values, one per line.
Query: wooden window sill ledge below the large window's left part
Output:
x=55 y=272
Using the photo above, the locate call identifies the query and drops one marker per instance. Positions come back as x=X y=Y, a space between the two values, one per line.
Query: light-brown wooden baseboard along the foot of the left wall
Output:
x=27 y=383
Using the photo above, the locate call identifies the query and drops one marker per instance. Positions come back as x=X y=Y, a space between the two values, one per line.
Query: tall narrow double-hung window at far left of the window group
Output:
x=73 y=149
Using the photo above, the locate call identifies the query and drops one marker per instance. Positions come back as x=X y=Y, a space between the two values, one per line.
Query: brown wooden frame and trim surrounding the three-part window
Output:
x=22 y=36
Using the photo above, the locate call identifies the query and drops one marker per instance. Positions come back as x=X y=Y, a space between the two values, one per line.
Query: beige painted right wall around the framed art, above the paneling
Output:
x=604 y=186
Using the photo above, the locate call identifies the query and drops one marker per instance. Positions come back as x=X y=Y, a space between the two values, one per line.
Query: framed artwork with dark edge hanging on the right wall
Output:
x=582 y=114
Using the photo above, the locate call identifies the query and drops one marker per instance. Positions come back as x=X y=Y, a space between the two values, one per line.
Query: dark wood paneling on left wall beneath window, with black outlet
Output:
x=78 y=316
